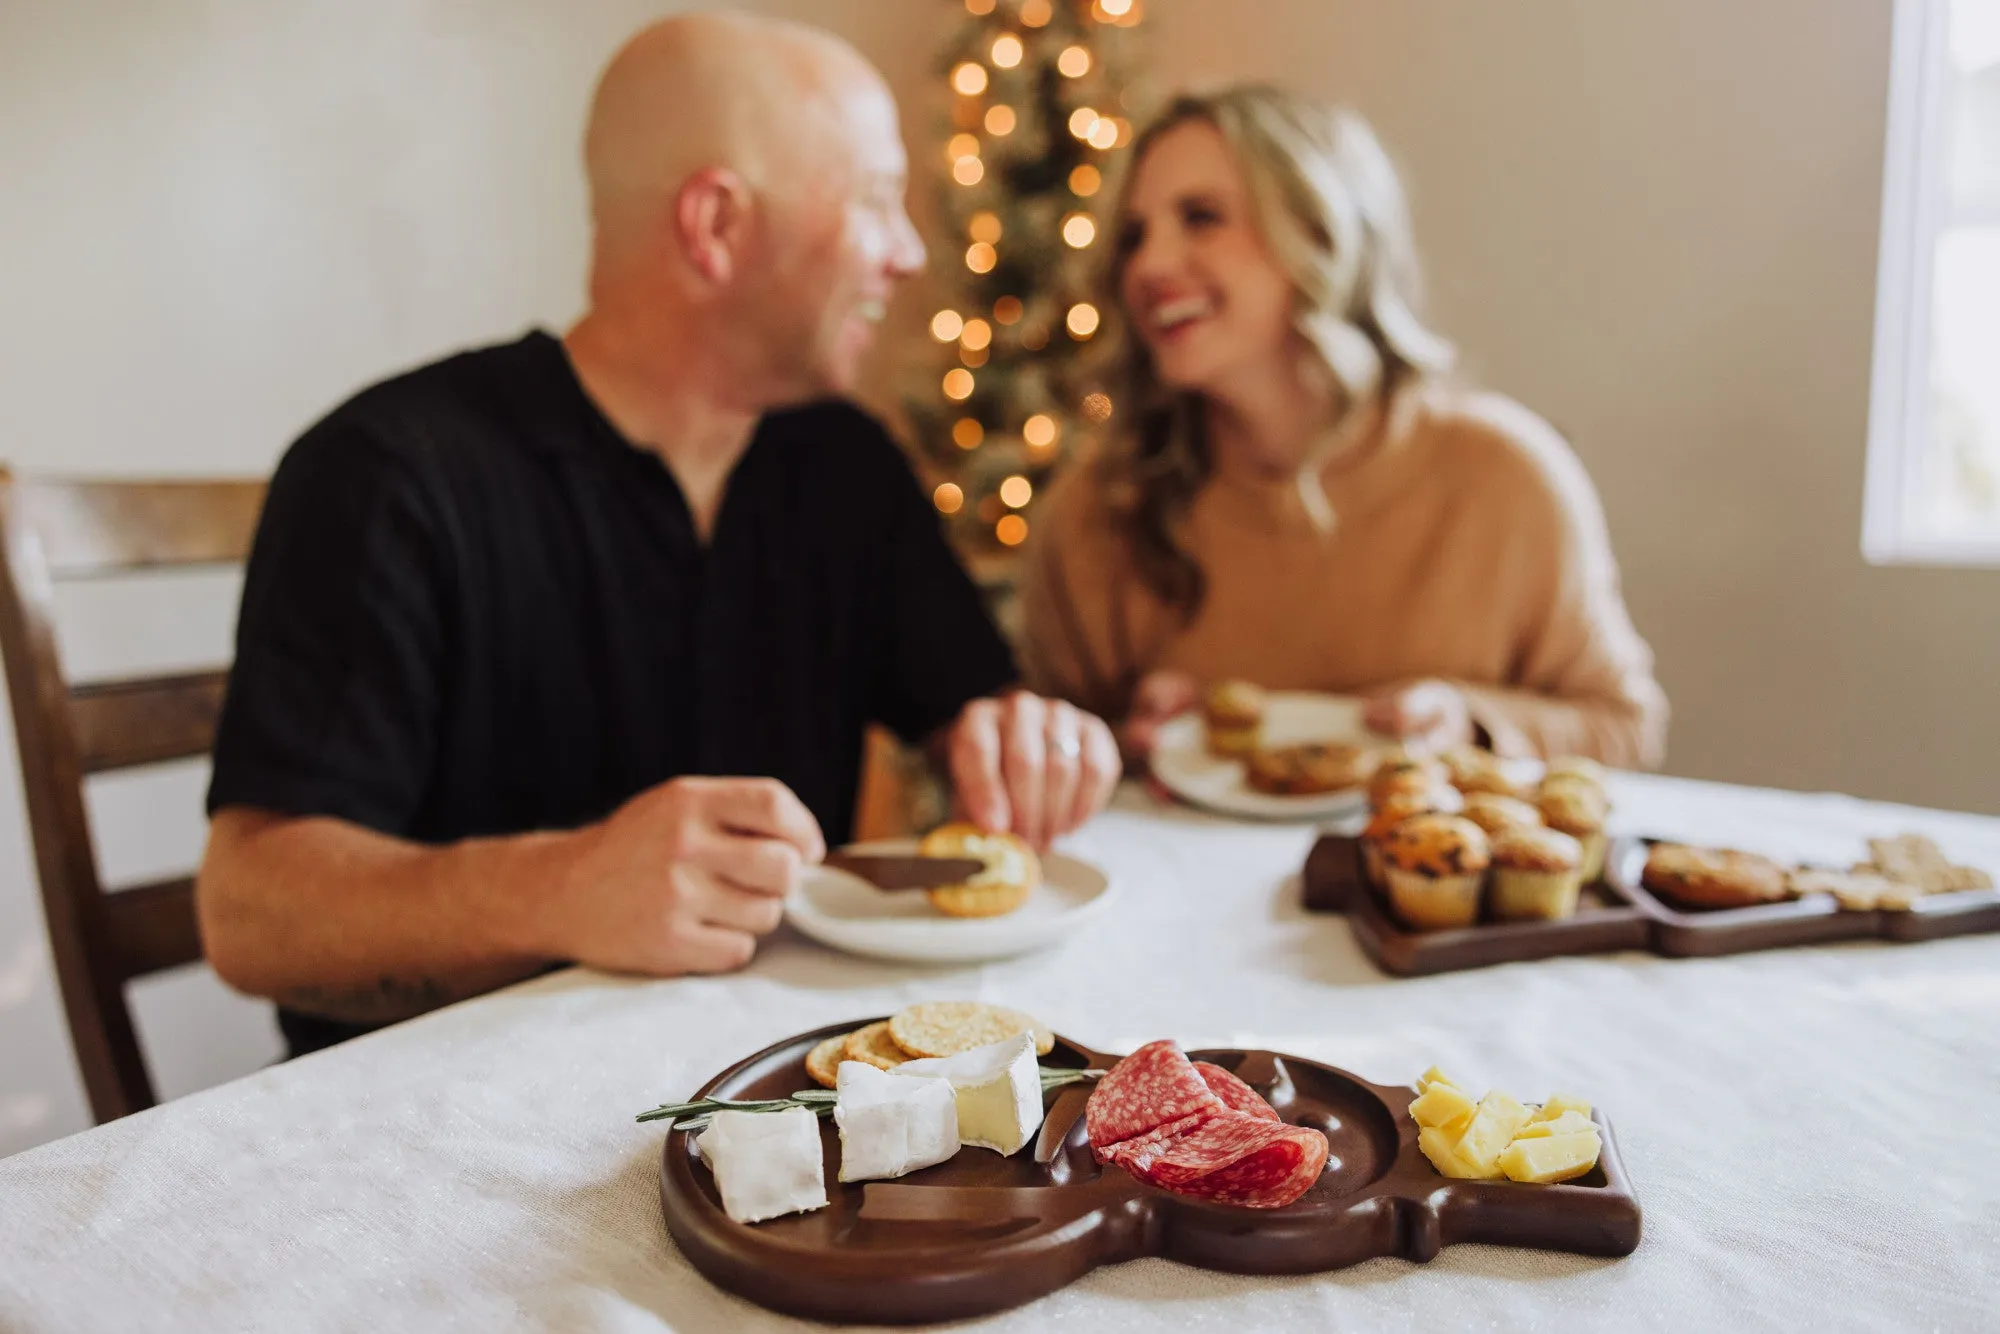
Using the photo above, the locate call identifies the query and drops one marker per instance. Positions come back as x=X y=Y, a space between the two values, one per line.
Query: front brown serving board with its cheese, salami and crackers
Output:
x=959 y=1159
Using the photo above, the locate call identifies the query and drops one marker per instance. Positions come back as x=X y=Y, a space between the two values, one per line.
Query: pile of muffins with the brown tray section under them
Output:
x=1465 y=865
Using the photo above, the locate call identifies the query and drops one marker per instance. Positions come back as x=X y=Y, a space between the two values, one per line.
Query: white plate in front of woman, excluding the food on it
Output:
x=1183 y=765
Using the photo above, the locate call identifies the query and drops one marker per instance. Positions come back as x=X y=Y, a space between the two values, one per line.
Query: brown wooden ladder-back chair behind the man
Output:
x=55 y=531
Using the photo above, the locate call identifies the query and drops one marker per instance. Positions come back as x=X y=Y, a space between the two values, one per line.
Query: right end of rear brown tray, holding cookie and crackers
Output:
x=1721 y=901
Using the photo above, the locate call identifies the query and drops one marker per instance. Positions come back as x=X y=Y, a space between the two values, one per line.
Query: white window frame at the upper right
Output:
x=1913 y=219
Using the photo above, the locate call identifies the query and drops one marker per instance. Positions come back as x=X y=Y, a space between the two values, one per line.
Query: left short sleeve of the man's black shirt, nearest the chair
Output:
x=335 y=695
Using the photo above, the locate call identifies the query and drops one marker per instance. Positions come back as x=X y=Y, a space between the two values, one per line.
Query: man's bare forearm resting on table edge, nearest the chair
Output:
x=331 y=919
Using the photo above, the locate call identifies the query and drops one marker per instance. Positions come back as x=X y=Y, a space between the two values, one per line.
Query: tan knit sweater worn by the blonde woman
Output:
x=1469 y=545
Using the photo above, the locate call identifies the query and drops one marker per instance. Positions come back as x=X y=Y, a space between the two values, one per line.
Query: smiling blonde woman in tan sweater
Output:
x=1297 y=493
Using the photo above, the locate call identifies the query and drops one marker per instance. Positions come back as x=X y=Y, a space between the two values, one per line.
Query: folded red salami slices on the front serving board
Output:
x=1157 y=1117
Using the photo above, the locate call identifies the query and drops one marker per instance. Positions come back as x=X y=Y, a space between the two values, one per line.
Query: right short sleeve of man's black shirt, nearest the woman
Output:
x=943 y=645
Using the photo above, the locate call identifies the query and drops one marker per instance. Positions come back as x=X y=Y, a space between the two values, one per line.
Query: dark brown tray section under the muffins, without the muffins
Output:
x=1335 y=883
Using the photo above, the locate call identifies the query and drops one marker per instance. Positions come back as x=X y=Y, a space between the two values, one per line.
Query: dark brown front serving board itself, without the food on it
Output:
x=985 y=1233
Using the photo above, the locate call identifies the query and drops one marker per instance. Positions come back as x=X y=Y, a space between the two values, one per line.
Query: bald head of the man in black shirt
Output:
x=747 y=175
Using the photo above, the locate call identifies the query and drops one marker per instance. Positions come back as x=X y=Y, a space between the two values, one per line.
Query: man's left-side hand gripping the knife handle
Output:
x=685 y=877
